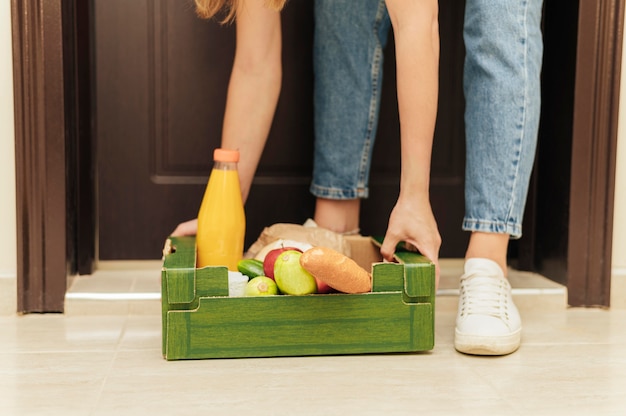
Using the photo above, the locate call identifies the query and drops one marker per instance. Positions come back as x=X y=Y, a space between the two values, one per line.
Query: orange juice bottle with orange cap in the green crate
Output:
x=221 y=220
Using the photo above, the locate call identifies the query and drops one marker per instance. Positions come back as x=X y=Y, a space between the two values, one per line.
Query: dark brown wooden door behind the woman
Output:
x=160 y=86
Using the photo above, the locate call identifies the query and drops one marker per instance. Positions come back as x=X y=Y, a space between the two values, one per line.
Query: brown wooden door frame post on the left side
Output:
x=53 y=153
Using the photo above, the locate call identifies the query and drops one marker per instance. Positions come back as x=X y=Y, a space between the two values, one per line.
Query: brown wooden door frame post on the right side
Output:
x=594 y=145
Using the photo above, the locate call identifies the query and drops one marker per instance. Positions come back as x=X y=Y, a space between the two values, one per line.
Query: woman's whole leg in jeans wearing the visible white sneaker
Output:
x=502 y=88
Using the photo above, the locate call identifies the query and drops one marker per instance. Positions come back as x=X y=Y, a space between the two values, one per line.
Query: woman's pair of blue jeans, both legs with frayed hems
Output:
x=502 y=90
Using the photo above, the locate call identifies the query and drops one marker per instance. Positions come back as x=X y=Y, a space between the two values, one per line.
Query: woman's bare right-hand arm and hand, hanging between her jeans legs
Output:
x=416 y=33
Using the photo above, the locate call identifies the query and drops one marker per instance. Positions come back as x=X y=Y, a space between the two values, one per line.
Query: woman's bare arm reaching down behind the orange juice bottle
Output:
x=253 y=91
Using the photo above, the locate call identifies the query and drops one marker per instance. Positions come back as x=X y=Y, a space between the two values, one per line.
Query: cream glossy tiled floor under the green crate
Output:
x=103 y=357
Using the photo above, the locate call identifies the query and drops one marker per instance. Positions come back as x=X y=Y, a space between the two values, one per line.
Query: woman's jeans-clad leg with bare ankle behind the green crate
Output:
x=348 y=56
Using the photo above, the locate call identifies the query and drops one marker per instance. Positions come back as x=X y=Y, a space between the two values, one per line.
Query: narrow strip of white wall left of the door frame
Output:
x=8 y=256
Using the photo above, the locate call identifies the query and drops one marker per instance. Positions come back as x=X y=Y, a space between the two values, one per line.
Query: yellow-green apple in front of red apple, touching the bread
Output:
x=290 y=277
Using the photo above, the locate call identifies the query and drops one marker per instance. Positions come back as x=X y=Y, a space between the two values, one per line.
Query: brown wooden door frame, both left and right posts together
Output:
x=53 y=138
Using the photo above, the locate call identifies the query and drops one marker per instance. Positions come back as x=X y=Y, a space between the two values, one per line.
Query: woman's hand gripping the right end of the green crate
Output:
x=413 y=222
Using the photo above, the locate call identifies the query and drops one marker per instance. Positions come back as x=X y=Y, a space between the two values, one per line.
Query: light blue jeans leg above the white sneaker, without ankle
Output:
x=502 y=89
